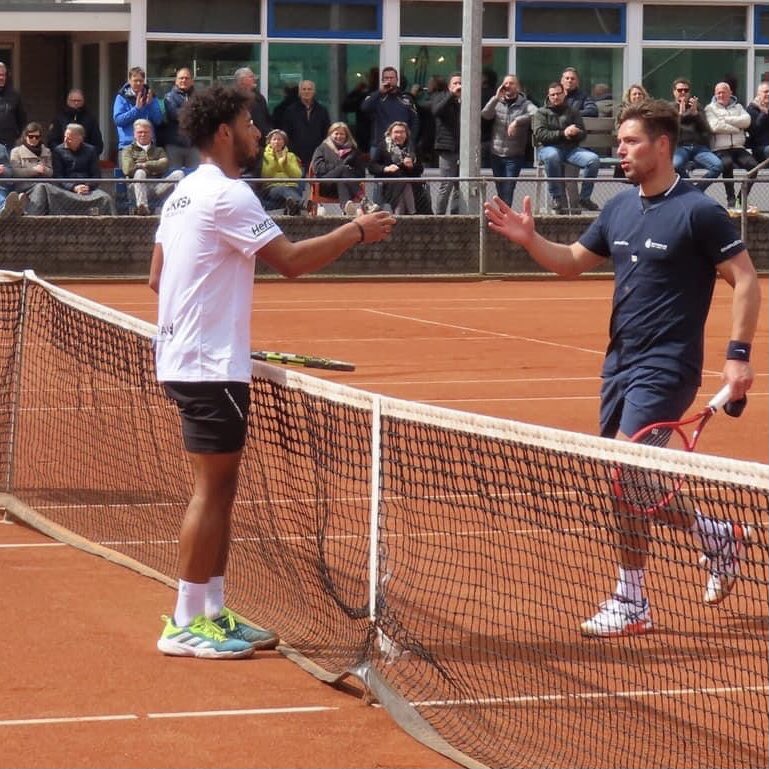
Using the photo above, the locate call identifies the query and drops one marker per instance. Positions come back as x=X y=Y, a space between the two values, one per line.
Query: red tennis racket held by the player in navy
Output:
x=645 y=490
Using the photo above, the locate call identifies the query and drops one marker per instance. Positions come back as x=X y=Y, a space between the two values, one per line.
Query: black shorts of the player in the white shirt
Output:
x=214 y=414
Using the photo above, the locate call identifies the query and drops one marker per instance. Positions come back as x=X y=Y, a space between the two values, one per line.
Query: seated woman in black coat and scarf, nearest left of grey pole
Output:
x=394 y=158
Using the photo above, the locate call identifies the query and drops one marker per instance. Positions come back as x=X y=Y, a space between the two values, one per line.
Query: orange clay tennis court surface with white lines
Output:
x=85 y=685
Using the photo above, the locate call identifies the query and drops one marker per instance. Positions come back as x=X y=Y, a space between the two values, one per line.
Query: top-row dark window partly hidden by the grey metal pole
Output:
x=424 y=18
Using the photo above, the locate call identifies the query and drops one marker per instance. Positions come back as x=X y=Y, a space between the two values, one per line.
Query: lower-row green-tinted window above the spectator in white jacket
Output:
x=704 y=68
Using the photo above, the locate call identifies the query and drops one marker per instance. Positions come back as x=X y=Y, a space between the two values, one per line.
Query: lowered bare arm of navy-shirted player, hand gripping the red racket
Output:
x=746 y=302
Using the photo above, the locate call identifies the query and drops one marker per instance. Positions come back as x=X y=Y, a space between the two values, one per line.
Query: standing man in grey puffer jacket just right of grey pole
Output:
x=509 y=113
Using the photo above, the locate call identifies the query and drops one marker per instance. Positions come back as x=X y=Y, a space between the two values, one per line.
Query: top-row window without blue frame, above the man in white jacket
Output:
x=687 y=22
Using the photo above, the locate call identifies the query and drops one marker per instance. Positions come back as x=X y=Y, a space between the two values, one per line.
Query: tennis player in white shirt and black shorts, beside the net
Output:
x=211 y=231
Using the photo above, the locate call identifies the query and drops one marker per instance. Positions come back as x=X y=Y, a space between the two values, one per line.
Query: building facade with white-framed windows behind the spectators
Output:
x=341 y=45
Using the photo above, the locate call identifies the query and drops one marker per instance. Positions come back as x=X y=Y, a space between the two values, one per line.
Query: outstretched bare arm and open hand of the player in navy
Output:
x=565 y=260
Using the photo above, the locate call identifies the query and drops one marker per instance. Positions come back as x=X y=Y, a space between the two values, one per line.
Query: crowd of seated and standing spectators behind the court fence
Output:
x=395 y=135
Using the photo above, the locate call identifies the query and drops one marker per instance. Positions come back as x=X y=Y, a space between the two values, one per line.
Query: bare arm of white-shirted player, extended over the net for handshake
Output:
x=294 y=259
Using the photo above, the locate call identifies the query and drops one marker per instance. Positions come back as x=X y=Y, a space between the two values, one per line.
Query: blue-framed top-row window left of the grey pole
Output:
x=325 y=18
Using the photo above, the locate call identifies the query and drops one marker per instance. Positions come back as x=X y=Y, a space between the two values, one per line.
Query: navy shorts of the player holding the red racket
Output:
x=635 y=398
